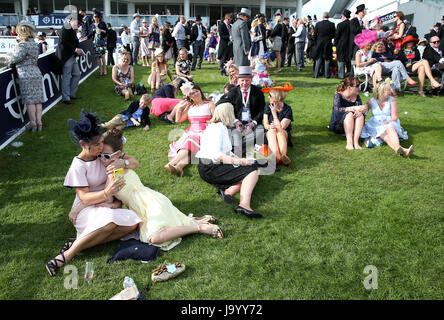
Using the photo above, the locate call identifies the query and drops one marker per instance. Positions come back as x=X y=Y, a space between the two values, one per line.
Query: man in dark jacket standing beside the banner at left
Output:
x=68 y=50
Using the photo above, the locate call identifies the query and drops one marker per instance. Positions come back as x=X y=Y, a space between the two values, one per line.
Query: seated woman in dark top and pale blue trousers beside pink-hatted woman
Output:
x=391 y=66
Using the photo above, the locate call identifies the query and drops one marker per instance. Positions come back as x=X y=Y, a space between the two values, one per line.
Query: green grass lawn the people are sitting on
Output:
x=327 y=217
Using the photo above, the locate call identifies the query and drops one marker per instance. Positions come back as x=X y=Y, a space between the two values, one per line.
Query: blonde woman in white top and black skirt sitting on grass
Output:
x=221 y=168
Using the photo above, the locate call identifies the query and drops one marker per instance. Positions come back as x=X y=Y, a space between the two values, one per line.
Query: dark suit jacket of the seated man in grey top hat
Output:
x=256 y=102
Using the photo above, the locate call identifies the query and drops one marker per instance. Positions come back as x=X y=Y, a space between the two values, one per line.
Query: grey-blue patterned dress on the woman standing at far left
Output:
x=24 y=56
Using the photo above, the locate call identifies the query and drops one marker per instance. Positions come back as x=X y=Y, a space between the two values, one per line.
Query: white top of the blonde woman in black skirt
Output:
x=214 y=142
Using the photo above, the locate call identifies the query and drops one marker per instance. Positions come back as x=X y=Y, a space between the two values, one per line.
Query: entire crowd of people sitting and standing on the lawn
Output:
x=225 y=131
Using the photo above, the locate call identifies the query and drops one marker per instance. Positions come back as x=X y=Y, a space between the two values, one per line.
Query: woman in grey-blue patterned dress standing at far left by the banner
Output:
x=25 y=56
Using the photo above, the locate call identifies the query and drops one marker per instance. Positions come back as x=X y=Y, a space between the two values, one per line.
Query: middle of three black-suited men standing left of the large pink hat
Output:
x=343 y=44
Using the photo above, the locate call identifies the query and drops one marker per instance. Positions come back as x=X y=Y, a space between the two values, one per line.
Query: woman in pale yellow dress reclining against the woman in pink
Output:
x=163 y=224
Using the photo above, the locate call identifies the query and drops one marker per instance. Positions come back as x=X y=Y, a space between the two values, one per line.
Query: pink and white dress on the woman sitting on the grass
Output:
x=190 y=140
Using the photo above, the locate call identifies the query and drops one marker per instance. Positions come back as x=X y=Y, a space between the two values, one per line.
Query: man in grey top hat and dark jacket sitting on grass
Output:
x=249 y=103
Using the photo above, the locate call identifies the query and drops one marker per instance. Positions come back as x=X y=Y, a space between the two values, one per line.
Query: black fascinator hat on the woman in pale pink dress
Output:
x=86 y=129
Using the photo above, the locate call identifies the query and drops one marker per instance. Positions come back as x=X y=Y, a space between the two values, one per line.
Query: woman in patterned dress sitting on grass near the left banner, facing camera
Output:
x=123 y=77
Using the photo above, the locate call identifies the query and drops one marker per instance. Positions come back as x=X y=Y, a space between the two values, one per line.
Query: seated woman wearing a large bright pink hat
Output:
x=365 y=63
